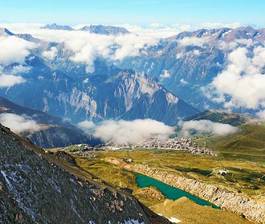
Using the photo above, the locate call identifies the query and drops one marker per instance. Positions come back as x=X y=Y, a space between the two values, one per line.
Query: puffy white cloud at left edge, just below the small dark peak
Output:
x=14 y=50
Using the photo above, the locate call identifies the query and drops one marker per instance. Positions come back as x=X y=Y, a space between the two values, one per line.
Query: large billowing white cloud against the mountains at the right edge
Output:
x=242 y=81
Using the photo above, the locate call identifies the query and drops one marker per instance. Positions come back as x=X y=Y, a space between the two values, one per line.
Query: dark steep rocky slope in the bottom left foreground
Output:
x=37 y=187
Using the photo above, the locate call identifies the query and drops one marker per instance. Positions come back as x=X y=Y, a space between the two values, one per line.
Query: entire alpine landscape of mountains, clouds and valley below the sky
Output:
x=117 y=124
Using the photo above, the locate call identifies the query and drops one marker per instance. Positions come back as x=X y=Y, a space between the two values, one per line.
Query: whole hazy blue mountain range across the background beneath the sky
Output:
x=163 y=82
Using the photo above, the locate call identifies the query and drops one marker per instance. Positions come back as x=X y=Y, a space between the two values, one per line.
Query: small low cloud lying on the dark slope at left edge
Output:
x=20 y=124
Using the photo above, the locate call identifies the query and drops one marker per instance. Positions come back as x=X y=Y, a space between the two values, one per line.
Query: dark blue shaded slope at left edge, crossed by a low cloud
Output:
x=42 y=129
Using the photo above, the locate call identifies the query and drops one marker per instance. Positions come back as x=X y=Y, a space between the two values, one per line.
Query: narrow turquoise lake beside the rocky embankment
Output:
x=168 y=191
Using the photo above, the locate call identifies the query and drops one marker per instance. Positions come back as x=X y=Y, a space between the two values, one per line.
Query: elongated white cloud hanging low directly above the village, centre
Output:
x=132 y=132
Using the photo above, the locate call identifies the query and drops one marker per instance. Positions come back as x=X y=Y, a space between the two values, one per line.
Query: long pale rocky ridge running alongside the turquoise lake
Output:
x=232 y=201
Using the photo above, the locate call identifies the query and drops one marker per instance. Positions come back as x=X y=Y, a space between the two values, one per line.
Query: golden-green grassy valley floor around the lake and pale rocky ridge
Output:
x=241 y=177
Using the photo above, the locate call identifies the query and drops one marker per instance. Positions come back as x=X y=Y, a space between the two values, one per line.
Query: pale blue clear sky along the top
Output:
x=251 y=12
